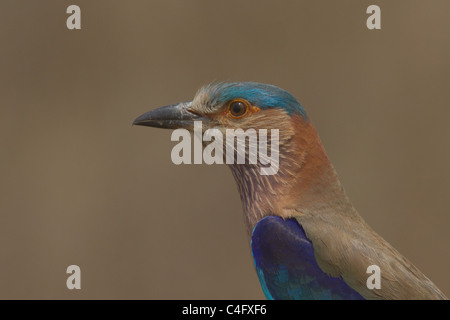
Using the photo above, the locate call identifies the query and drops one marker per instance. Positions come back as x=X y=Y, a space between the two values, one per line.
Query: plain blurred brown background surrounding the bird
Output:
x=80 y=185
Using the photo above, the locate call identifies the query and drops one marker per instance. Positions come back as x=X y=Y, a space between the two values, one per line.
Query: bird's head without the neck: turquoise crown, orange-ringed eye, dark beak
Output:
x=239 y=105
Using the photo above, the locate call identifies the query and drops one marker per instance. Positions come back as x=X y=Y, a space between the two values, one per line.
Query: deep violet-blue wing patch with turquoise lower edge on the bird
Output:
x=286 y=266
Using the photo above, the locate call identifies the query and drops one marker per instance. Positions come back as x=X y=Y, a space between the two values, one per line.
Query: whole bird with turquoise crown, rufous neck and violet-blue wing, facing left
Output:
x=308 y=242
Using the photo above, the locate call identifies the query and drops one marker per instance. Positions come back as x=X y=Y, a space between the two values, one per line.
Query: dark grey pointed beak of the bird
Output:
x=170 y=117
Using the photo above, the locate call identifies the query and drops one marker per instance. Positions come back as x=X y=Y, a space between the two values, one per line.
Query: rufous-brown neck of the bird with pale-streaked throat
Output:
x=306 y=182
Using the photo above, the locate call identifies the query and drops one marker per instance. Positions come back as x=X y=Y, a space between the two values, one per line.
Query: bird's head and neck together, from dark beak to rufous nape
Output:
x=250 y=105
